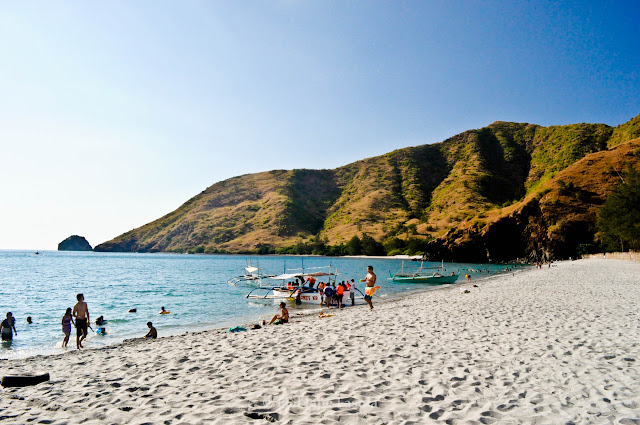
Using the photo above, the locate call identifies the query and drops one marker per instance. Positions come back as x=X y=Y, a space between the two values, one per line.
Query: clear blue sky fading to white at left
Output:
x=115 y=113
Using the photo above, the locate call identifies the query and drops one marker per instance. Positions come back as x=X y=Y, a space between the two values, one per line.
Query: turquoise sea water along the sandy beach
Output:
x=192 y=287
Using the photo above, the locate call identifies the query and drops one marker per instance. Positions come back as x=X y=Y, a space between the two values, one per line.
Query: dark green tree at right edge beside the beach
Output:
x=619 y=219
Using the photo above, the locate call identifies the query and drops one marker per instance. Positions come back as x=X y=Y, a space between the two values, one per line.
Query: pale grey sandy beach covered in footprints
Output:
x=550 y=346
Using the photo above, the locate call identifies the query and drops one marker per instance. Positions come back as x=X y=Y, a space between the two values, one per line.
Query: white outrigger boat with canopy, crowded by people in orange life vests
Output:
x=288 y=291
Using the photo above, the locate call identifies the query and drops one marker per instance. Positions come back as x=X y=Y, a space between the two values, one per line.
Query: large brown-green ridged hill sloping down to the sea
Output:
x=505 y=191
